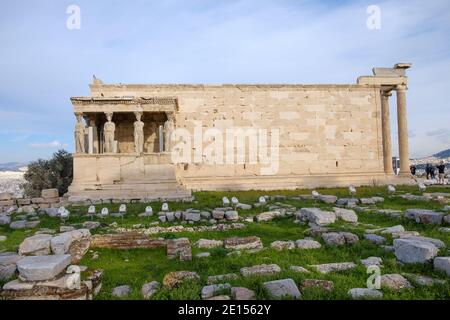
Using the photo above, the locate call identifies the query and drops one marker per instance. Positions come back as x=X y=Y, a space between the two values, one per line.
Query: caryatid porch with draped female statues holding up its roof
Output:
x=123 y=150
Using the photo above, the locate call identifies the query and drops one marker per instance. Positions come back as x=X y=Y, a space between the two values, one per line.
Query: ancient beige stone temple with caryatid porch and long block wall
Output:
x=151 y=141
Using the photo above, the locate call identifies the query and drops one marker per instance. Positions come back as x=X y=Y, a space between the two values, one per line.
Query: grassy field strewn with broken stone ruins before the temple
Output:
x=266 y=250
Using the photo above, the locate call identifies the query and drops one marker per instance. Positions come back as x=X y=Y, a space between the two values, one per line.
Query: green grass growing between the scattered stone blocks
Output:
x=136 y=267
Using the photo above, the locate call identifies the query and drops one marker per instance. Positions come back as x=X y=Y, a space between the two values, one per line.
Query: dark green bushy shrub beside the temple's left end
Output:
x=46 y=174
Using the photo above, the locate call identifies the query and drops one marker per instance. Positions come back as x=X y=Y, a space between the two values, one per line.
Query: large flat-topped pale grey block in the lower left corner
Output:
x=39 y=268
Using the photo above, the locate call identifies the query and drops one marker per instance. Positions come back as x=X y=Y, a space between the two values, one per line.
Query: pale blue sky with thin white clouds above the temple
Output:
x=43 y=64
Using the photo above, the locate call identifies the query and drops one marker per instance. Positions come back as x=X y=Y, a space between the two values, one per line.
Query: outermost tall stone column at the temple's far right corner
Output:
x=402 y=129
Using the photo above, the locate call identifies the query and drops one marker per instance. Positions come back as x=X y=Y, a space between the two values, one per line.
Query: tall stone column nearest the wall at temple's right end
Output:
x=386 y=129
